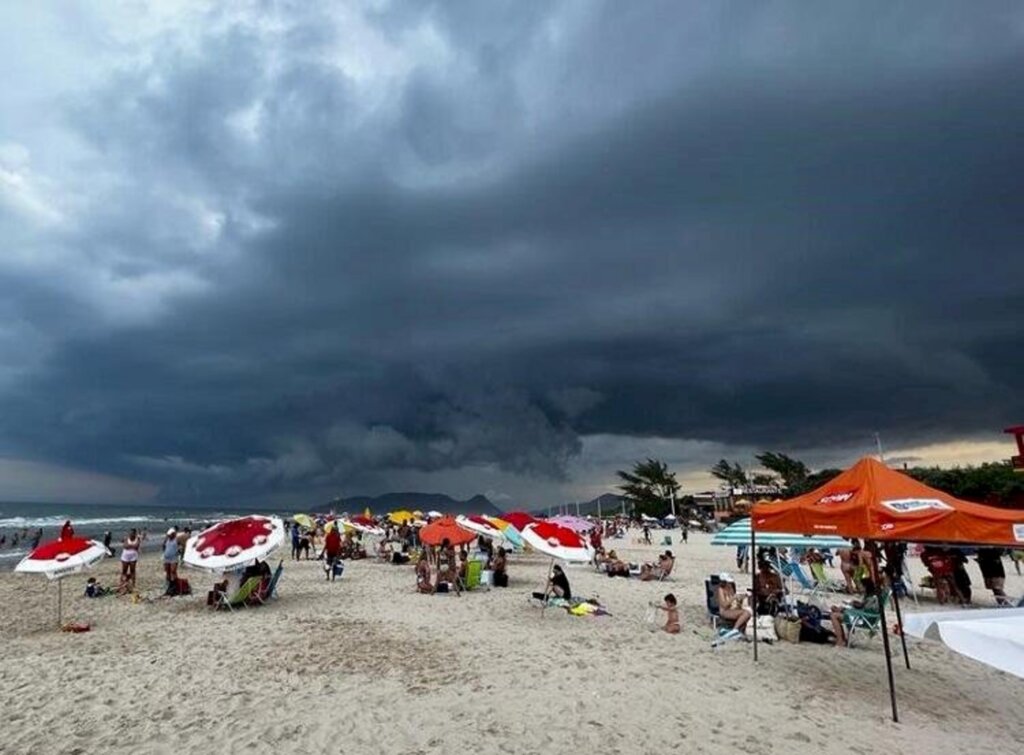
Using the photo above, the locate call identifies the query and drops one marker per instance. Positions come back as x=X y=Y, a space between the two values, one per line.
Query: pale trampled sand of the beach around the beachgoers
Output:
x=367 y=664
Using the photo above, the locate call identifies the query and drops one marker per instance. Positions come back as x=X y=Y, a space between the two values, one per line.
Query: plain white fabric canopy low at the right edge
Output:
x=994 y=637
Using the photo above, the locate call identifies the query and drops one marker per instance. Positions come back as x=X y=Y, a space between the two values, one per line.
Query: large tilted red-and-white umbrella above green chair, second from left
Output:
x=235 y=543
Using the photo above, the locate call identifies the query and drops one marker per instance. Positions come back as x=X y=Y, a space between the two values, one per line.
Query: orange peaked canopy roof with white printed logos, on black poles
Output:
x=874 y=502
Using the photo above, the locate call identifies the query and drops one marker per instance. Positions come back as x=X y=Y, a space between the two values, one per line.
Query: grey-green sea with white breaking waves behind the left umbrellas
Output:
x=21 y=521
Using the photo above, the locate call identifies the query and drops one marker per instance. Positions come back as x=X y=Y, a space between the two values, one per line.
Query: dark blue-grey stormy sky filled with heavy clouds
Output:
x=282 y=251
